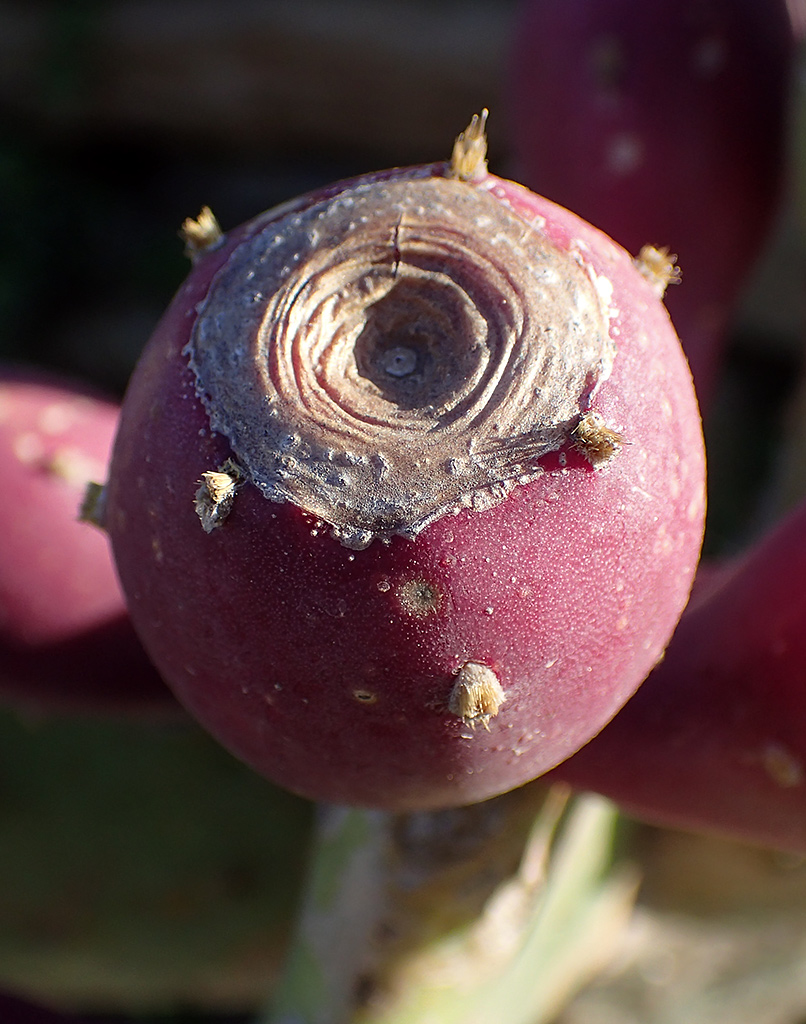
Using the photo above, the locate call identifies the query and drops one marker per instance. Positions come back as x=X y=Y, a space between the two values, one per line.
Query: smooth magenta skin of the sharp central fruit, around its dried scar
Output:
x=331 y=670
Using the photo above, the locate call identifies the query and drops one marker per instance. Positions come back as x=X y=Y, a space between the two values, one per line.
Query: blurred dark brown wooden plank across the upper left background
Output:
x=398 y=77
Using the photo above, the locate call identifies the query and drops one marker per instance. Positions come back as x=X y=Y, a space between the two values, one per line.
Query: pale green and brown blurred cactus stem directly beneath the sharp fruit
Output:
x=494 y=913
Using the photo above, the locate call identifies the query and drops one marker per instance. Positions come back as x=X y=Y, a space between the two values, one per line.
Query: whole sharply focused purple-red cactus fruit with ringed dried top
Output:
x=408 y=492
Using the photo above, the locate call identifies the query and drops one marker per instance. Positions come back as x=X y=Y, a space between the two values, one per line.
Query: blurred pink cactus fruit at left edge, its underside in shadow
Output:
x=66 y=639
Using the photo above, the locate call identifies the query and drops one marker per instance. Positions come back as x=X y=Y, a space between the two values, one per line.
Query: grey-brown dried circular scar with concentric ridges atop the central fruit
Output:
x=399 y=351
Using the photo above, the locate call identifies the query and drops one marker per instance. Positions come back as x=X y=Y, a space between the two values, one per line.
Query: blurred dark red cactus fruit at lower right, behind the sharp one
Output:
x=715 y=740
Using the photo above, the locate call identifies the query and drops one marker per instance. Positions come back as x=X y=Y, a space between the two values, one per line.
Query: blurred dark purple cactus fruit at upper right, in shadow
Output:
x=662 y=124
